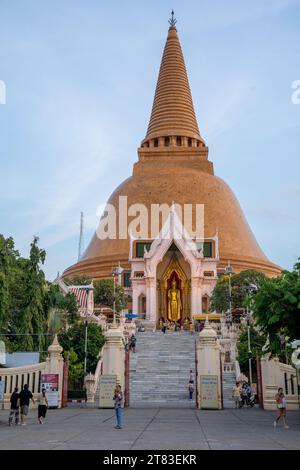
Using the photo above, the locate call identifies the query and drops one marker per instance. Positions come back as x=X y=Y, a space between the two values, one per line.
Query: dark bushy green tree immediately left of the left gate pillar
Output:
x=74 y=338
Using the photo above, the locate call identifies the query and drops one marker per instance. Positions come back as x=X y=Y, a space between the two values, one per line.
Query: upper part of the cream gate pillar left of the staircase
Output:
x=113 y=354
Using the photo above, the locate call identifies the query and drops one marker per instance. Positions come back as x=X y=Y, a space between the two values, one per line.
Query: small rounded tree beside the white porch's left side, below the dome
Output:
x=104 y=294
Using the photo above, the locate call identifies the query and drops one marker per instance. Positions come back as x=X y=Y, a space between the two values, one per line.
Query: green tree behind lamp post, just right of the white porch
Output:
x=240 y=284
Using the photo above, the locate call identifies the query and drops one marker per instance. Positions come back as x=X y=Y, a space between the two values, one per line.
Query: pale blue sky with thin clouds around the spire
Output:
x=80 y=79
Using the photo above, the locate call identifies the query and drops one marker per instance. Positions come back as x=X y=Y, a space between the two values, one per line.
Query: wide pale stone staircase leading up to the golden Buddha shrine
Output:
x=160 y=369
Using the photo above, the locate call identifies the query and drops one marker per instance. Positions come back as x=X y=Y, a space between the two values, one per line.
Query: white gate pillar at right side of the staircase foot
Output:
x=208 y=369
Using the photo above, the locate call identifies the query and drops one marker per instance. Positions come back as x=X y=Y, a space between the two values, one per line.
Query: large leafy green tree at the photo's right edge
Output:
x=276 y=308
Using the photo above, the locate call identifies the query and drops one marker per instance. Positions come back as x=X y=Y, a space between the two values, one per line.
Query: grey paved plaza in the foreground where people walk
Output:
x=152 y=428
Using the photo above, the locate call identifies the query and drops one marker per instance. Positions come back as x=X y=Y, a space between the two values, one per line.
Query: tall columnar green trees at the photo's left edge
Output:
x=22 y=296
